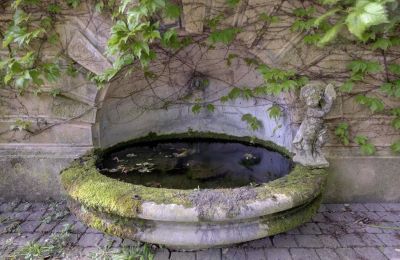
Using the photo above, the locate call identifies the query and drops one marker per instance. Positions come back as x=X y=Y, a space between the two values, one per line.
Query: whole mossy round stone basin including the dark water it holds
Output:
x=192 y=190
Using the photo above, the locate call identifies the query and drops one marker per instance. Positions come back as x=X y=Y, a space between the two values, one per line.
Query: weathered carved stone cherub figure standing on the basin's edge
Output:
x=312 y=133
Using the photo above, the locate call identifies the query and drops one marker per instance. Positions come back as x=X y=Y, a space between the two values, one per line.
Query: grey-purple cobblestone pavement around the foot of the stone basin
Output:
x=338 y=231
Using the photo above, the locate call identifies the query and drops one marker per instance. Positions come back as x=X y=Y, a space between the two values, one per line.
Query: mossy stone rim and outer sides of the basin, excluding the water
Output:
x=192 y=219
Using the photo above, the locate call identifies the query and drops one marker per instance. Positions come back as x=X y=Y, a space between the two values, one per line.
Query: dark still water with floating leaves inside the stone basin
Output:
x=195 y=164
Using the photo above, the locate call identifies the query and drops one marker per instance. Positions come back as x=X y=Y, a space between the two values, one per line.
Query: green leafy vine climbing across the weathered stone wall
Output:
x=373 y=25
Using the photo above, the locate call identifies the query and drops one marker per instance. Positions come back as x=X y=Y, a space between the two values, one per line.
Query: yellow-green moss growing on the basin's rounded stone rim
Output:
x=84 y=183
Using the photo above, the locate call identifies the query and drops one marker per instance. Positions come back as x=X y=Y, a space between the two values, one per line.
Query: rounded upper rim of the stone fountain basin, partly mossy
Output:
x=85 y=184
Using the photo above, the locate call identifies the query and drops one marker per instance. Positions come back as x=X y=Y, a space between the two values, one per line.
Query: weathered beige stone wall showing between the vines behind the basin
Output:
x=84 y=116
